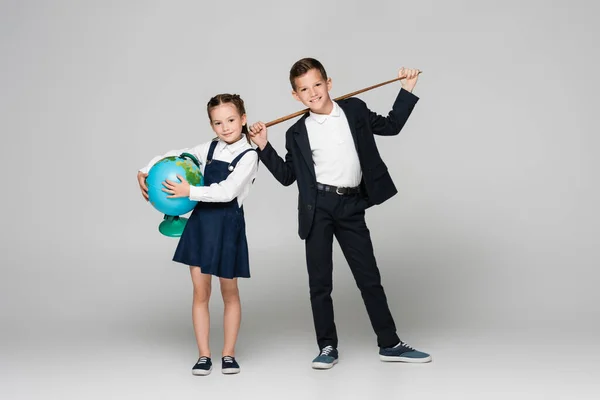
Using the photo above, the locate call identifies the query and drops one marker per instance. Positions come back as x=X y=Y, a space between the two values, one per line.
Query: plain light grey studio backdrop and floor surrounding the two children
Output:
x=488 y=254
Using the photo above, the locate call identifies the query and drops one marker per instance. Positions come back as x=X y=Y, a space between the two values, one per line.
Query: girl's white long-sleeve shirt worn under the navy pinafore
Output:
x=238 y=182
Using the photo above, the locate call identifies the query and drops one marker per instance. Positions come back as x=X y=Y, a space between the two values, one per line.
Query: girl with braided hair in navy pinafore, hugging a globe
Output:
x=214 y=239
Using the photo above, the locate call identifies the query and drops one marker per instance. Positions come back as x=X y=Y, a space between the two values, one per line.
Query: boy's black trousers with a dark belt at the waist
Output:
x=344 y=217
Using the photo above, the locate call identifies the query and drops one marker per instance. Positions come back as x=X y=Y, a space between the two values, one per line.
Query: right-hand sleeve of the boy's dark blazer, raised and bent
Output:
x=397 y=117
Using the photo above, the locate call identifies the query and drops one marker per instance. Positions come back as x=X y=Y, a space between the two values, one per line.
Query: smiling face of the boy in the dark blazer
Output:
x=313 y=91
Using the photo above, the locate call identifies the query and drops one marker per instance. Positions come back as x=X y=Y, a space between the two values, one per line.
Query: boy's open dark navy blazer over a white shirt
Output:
x=298 y=166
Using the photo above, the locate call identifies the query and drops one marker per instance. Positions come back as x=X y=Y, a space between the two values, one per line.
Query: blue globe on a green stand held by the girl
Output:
x=188 y=167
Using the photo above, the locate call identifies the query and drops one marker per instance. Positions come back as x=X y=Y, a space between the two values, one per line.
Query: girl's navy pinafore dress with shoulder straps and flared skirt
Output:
x=214 y=237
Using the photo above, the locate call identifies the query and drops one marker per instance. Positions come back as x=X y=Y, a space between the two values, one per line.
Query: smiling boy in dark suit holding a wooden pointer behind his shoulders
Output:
x=332 y=154
